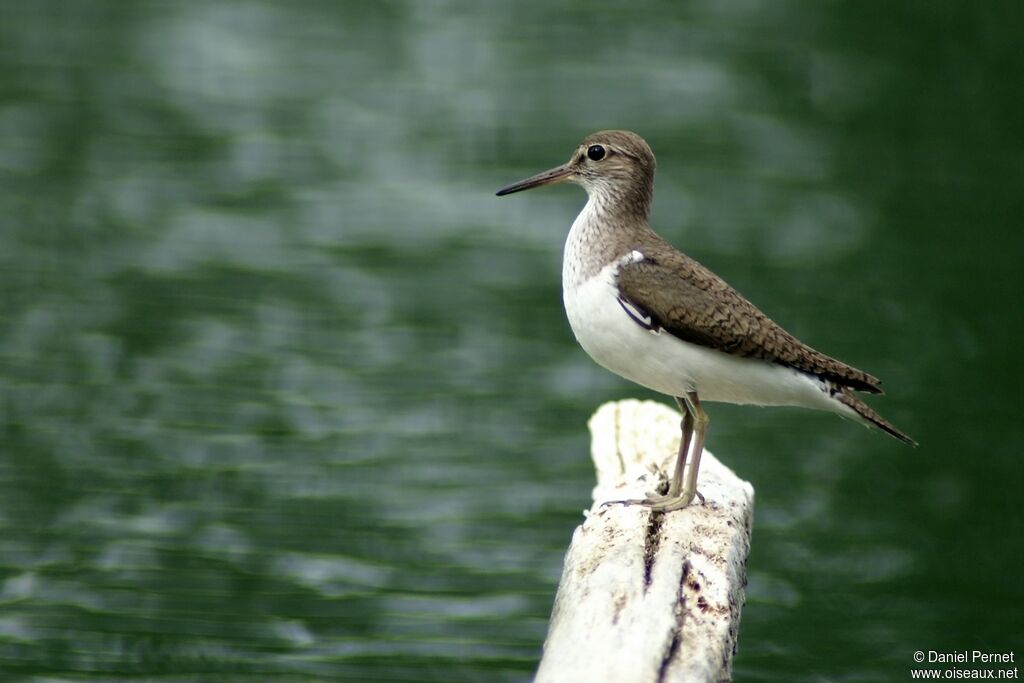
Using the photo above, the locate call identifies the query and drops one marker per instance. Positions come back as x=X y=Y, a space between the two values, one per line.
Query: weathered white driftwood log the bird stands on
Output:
x=645 y=596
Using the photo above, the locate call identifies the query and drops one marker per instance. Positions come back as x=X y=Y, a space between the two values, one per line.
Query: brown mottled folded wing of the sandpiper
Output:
x=693 y=304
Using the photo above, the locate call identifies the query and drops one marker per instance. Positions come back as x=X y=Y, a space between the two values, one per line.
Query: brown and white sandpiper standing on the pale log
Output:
x=656 y=317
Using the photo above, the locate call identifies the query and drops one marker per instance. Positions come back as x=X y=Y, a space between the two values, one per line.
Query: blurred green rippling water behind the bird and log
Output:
x=286 y=394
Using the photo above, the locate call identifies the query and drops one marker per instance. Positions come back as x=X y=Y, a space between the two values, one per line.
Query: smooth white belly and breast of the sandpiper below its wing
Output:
x=668 y=365
